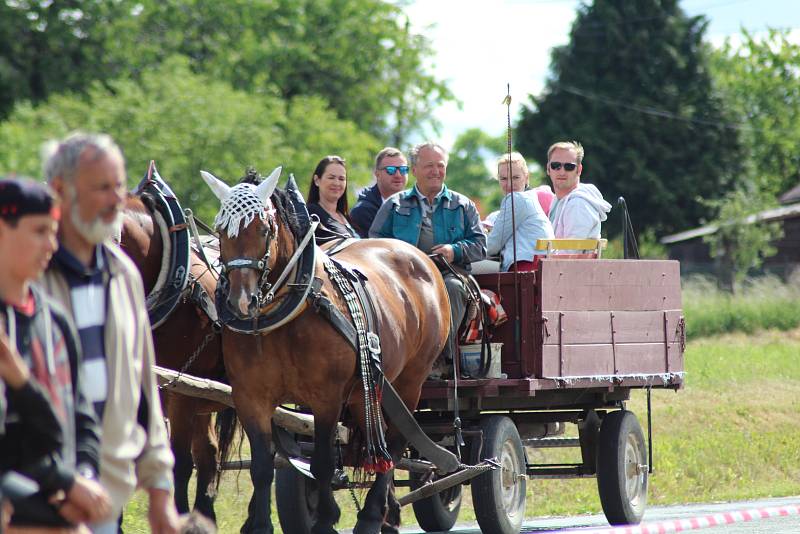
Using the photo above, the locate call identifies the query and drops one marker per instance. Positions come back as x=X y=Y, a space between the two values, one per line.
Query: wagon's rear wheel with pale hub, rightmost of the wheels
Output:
x=622 y=468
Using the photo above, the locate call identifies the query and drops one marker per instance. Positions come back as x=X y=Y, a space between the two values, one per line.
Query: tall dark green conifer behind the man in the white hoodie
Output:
x=633 y=86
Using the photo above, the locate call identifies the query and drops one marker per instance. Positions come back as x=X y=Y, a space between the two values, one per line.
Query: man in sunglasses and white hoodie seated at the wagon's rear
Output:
x=578 y=208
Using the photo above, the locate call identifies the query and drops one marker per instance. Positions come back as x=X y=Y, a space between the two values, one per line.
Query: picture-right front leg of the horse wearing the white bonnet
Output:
x=323 y=464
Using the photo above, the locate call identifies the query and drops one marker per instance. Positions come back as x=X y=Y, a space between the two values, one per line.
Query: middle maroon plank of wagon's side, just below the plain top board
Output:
x=595 y=326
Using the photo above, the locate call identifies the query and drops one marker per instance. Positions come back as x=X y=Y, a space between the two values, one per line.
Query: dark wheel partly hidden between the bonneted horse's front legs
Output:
x=296 y=499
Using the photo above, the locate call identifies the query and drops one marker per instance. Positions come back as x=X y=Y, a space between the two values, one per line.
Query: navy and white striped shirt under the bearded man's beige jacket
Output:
x=88 y=295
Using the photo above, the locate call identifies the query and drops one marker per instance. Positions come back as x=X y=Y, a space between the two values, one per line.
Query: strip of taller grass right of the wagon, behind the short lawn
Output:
x=762 y=303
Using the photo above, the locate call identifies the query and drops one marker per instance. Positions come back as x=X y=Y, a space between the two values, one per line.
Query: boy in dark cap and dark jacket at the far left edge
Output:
x=50 y=433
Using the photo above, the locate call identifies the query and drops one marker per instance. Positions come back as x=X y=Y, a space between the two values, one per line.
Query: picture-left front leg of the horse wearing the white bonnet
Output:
x=262 y=471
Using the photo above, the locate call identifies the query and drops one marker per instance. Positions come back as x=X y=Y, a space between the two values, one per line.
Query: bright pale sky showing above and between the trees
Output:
x=482 y=45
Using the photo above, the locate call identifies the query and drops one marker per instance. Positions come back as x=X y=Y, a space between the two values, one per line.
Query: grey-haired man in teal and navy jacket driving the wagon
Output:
x=436 y=220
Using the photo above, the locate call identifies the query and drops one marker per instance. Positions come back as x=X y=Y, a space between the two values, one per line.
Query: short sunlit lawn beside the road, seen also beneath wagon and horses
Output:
x=732 y=433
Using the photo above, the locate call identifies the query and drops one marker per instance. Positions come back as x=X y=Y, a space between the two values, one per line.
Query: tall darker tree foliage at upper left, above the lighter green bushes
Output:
x=358 y=56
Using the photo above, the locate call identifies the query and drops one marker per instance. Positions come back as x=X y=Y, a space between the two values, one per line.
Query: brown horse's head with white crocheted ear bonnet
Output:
x=248 y=232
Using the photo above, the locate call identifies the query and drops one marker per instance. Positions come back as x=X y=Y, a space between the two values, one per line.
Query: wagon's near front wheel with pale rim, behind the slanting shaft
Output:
x=498 y=496
